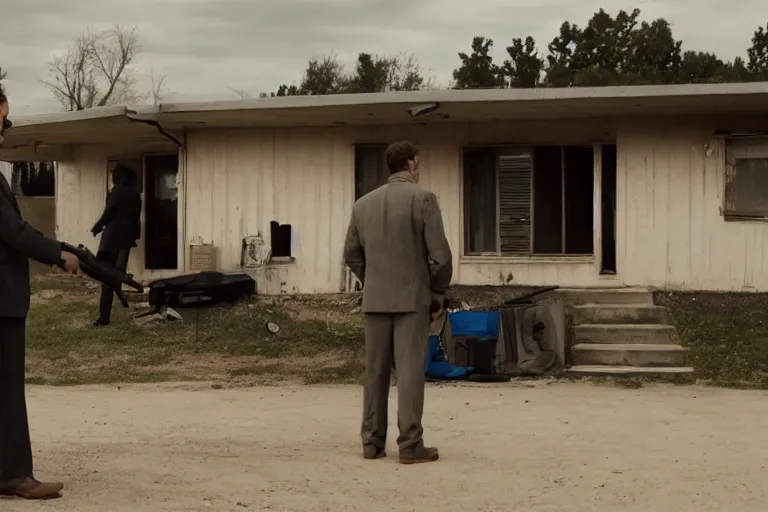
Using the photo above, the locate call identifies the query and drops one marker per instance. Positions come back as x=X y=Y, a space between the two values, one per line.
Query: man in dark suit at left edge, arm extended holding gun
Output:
x=18 y=242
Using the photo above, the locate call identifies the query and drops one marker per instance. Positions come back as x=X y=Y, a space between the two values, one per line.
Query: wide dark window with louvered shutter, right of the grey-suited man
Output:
x=529 y=201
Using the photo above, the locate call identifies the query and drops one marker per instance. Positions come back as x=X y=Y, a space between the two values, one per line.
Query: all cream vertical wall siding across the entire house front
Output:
x=670 y=230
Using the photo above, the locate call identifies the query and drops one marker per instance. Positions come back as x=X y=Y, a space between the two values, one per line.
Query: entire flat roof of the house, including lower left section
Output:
x=114 y=124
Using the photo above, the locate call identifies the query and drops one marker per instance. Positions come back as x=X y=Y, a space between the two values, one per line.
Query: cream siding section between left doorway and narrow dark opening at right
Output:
x=237 y=181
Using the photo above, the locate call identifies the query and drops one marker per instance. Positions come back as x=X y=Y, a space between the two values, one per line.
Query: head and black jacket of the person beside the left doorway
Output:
x=120 y=224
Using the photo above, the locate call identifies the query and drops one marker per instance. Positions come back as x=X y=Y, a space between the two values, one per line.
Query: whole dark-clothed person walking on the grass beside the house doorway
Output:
x=120 y=228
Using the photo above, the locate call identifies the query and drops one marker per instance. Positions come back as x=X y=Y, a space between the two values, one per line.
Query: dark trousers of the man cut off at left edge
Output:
x=15 y=448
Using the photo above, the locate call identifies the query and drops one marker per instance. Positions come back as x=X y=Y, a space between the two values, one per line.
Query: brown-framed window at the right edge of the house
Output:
x=746 y=179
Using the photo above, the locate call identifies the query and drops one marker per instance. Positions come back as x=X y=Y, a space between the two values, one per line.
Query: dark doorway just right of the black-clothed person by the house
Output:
x=161 y=212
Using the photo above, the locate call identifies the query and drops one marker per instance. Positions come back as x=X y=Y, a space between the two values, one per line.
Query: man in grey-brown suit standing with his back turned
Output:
x=397 y=247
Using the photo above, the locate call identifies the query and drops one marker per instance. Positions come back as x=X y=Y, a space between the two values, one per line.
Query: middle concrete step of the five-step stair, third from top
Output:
x=624 y=333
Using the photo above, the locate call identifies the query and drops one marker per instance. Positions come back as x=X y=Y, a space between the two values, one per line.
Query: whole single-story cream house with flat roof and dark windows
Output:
x=651 y=186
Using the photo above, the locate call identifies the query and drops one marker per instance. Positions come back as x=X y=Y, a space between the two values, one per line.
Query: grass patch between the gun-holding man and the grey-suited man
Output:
x=227 y=342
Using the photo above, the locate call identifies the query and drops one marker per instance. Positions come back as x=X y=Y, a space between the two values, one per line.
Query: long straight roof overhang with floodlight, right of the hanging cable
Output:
x=471 y=105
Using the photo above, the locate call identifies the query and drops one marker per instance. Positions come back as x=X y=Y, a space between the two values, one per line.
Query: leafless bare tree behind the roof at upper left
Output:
x=95 y=71
